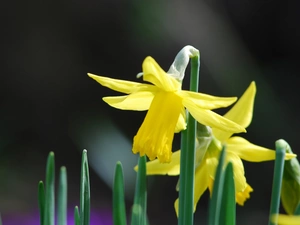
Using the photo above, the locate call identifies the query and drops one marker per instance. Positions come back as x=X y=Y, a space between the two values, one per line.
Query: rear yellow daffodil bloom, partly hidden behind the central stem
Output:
x=237 y=148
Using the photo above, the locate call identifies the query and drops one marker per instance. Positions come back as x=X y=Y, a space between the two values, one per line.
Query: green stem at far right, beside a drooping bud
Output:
x=277 y=178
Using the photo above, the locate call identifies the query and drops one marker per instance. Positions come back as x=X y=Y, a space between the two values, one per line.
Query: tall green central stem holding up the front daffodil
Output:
x=187 y=158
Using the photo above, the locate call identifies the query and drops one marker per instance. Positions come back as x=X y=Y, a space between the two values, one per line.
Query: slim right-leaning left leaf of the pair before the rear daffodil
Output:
x=216 y=199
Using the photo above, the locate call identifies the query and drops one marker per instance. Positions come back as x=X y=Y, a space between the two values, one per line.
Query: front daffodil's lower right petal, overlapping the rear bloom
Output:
x=209 y=118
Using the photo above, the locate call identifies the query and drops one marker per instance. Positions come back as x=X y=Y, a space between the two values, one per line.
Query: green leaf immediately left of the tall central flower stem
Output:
x=139 y=208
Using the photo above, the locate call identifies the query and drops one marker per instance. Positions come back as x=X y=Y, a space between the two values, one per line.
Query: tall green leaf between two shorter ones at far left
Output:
x=49 y=213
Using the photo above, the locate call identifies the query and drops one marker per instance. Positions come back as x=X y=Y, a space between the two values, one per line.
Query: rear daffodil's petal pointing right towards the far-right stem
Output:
x=250 y=152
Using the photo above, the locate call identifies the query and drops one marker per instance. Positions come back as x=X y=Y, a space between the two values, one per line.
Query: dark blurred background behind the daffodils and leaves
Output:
x=48 y=103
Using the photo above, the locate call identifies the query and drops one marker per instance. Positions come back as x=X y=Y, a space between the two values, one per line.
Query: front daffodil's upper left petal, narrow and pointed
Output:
x=120 y=85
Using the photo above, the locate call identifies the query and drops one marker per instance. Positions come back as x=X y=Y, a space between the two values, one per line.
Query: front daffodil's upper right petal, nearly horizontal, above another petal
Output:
x=205 y=101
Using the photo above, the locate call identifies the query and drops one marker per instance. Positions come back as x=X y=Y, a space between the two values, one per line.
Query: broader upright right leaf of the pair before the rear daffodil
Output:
x=228 y=207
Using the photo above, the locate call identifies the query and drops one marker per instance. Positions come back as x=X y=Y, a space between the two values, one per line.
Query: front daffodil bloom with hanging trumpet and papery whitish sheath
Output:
x=166 y=102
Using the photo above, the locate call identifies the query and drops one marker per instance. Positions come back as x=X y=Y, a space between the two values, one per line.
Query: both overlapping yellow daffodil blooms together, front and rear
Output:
x=167 y=103
